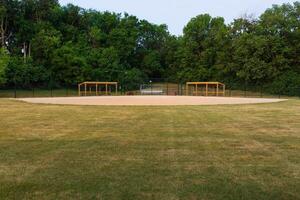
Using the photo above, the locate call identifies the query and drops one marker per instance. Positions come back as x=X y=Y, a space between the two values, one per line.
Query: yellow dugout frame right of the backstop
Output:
x=217 y=85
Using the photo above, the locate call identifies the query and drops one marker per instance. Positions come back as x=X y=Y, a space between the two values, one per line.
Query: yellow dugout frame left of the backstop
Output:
x=96 y=84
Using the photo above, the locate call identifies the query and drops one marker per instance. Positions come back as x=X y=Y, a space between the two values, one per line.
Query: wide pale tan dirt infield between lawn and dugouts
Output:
x=149 y=100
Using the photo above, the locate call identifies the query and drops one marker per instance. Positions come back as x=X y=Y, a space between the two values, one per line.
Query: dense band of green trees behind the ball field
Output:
x=53 y=45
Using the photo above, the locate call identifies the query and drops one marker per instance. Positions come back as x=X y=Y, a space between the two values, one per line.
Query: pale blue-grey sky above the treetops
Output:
x=177 y=13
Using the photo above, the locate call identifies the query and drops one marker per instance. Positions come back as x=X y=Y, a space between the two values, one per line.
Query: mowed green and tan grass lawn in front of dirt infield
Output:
x=185 y=152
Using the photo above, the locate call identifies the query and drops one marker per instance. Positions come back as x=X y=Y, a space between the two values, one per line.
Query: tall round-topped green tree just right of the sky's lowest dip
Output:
x=203 y=48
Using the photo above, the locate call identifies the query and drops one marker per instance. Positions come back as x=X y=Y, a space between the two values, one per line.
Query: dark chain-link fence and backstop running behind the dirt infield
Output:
x=148 y=87
